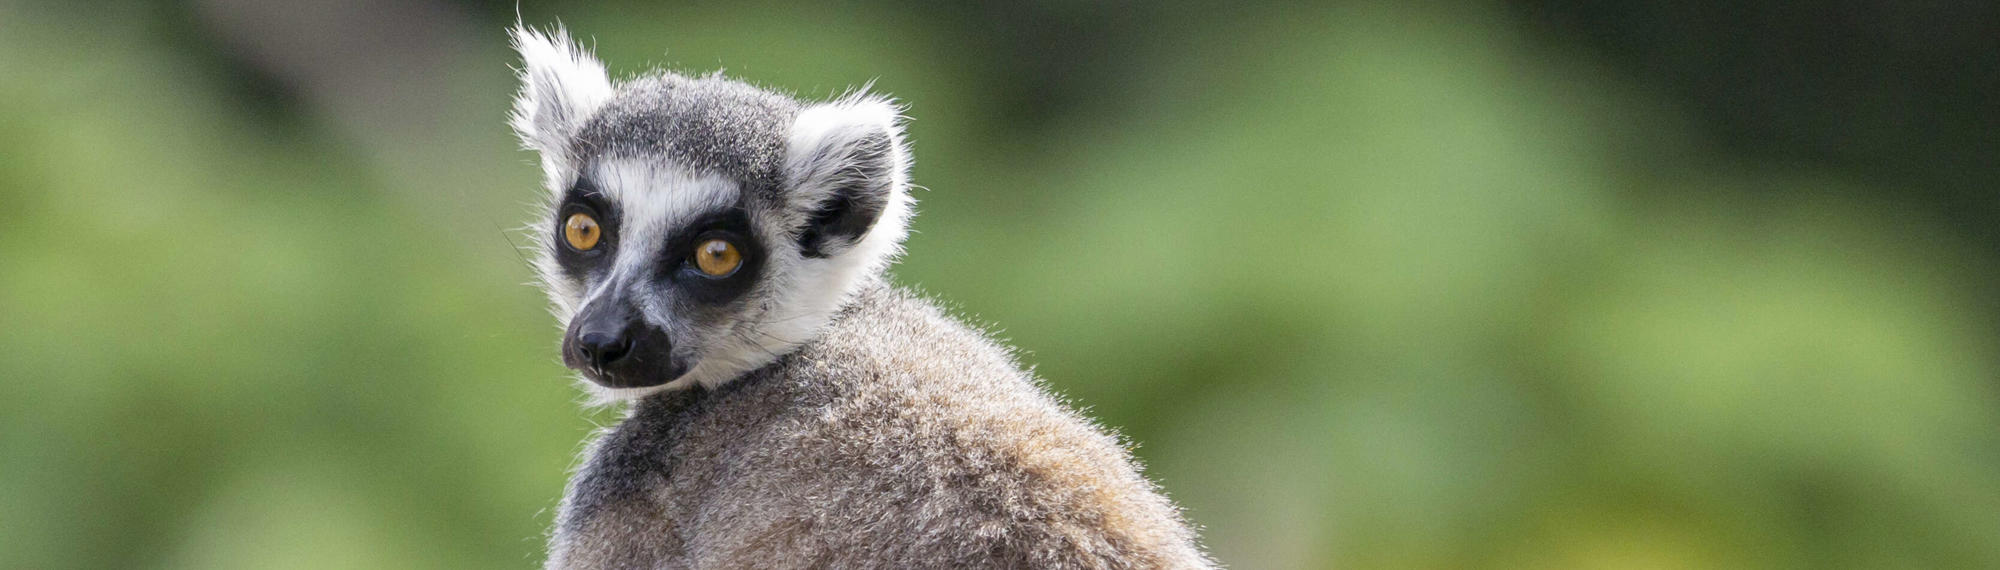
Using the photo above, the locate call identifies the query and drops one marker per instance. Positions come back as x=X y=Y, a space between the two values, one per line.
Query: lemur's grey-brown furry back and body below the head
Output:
x=901 y=439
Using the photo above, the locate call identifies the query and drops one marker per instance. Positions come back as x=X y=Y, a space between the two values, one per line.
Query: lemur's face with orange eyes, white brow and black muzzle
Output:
x=665 y=261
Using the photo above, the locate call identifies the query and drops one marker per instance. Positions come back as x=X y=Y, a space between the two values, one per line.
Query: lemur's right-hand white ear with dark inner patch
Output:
x=847 y=175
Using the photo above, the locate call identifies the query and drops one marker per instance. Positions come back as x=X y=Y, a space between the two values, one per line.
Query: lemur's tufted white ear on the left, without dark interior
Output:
x=561 y=87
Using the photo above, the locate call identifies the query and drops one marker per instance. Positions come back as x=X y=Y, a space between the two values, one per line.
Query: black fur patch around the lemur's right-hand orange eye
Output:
x=677 y=259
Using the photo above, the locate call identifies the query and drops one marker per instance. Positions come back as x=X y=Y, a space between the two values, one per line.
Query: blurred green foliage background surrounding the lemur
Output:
x=1415 y=285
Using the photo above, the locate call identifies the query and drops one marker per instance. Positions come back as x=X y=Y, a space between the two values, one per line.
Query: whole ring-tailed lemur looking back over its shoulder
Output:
x=717 y=257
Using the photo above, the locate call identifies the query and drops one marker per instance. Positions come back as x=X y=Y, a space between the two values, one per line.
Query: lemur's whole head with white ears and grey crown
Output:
x=701 y=227
